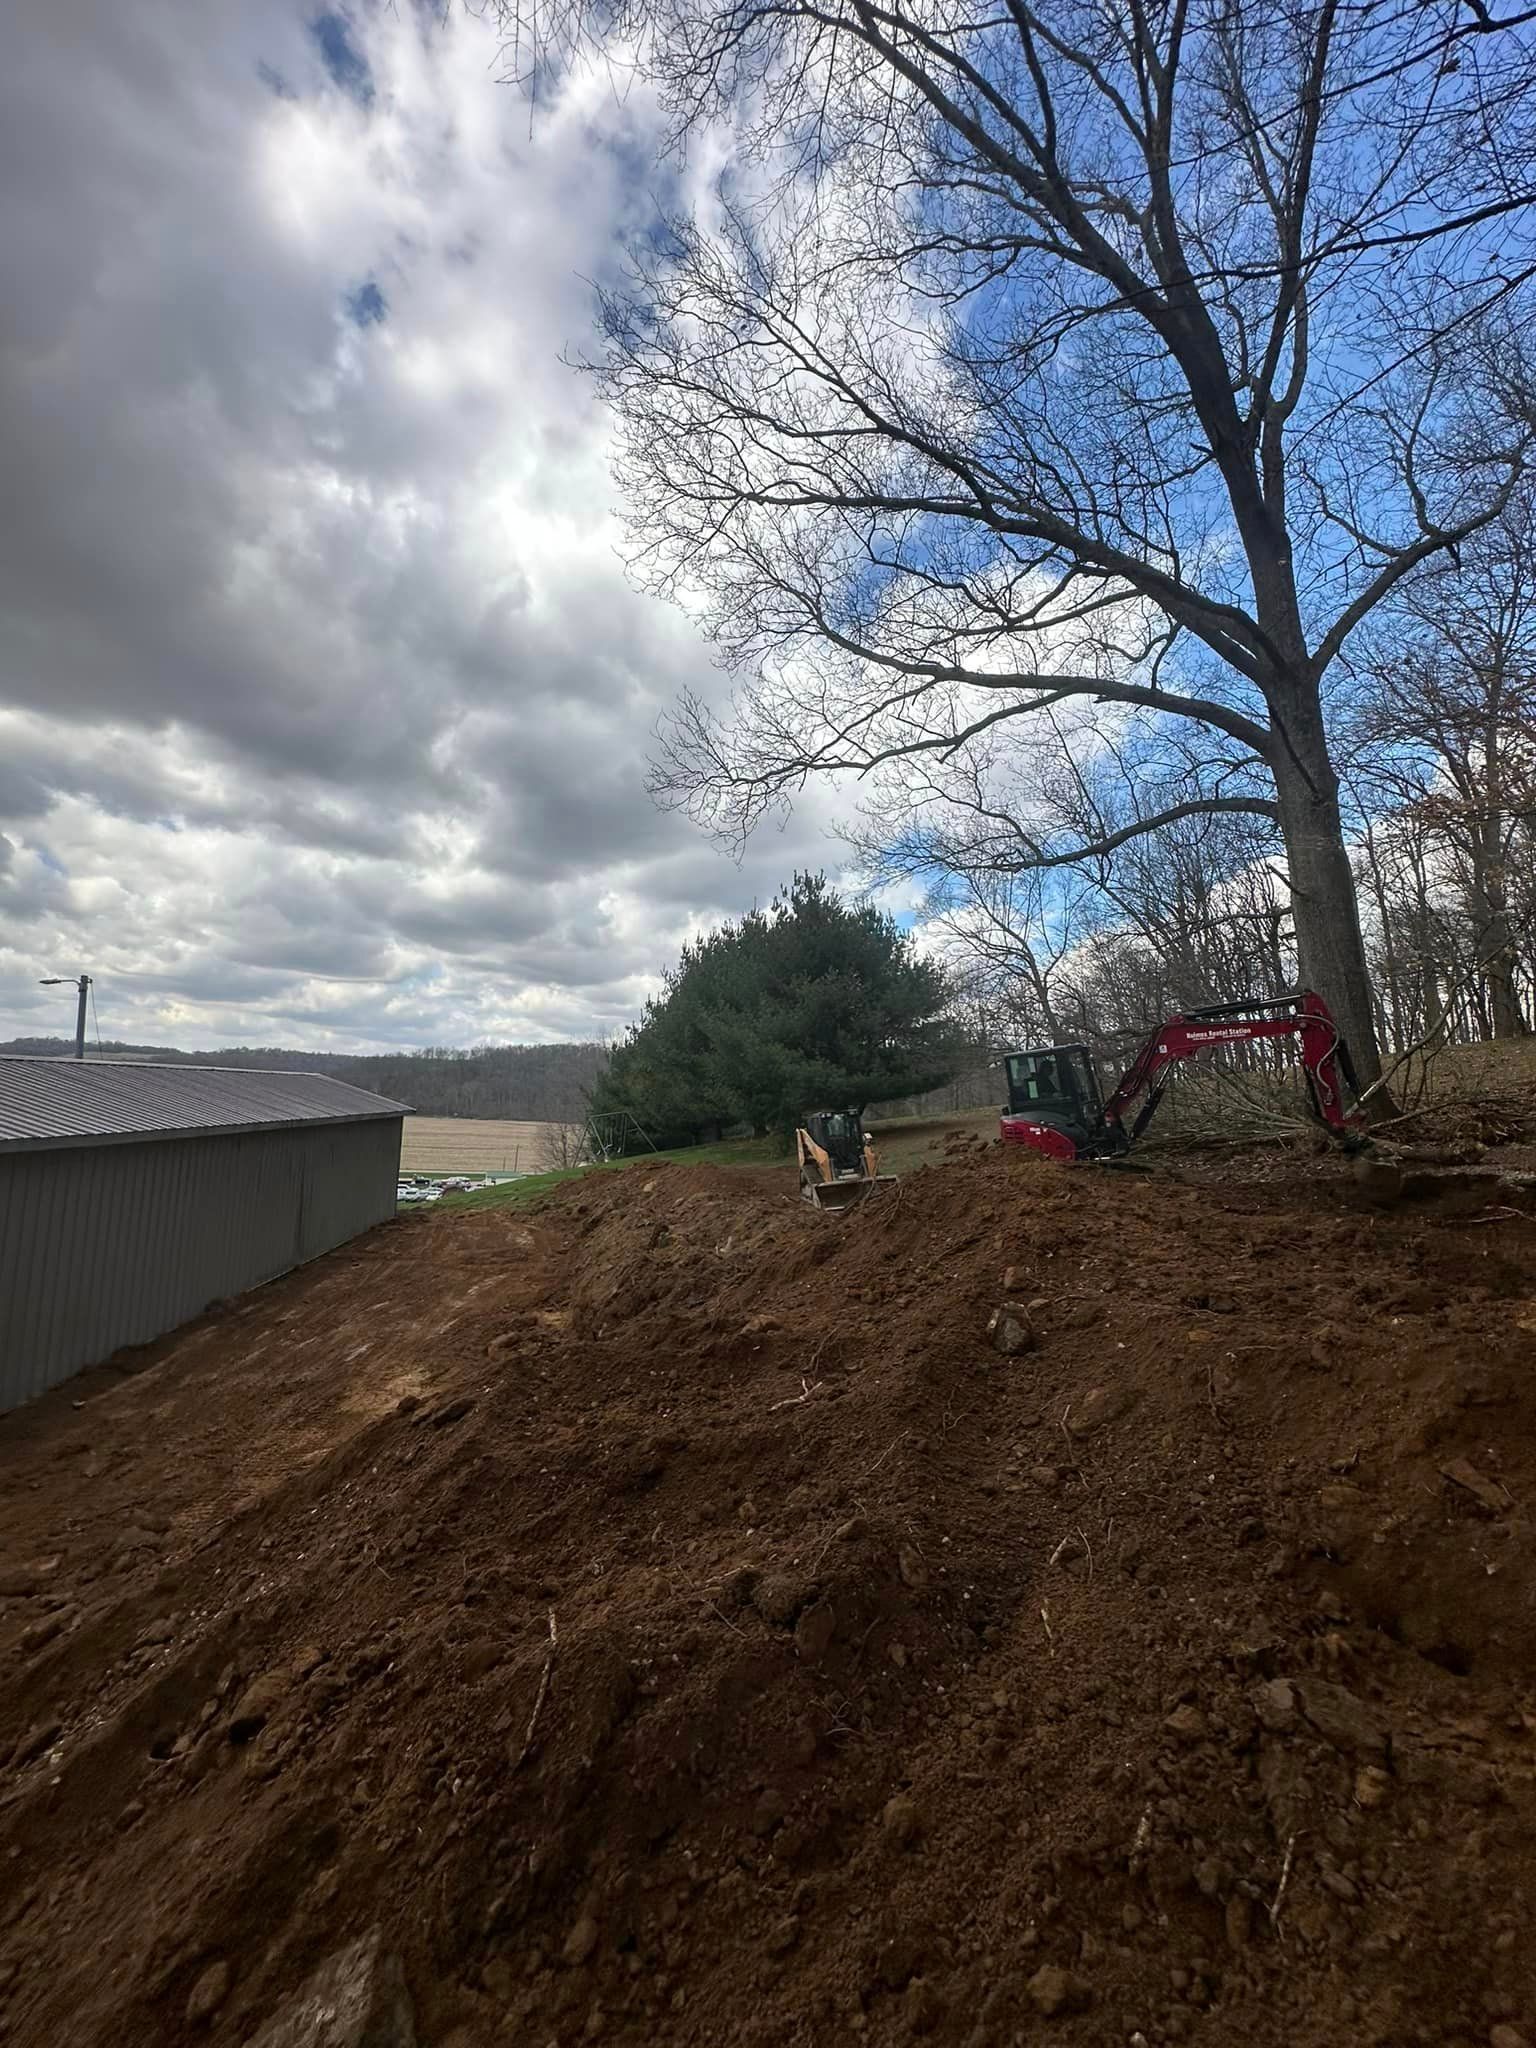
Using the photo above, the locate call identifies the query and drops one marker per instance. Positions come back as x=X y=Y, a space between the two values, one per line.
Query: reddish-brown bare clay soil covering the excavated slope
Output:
x=673 y=1619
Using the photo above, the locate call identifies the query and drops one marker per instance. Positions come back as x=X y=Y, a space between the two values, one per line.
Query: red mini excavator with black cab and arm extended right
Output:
x=1056 y=1103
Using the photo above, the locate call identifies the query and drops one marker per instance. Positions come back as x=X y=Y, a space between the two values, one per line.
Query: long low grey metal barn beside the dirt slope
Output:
x=136 y=1195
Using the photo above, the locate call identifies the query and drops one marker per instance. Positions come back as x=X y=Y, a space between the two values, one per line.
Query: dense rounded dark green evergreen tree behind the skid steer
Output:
x=808 y=1005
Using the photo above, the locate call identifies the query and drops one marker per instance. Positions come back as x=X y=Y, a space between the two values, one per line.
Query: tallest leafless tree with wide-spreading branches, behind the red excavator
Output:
x=1103 y=351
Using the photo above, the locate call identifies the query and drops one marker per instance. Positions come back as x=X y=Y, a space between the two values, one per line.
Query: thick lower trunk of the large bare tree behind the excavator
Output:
x=1330 y=945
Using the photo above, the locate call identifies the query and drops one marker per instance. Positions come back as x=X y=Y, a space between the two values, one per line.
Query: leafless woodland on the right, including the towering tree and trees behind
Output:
x=1097 y=439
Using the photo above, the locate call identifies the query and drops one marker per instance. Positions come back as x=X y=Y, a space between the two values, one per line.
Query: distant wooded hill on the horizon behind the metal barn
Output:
x=540 y=1082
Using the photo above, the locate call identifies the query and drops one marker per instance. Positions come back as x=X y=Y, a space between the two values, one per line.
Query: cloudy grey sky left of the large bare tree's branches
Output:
x=325 y=699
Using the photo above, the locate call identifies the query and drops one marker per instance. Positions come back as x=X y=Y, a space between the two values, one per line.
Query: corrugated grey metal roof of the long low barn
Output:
x=105 y=1101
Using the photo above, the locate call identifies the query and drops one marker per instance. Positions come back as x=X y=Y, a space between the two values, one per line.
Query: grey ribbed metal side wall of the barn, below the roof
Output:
x=118 y=1244
